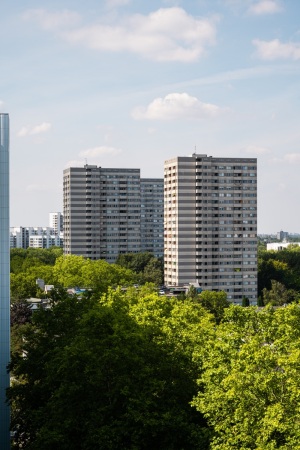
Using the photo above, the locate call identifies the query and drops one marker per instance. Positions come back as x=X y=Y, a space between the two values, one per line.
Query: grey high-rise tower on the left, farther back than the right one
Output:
x=102 y=212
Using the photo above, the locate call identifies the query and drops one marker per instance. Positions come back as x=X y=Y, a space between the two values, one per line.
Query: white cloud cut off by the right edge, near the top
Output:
x=274 y=49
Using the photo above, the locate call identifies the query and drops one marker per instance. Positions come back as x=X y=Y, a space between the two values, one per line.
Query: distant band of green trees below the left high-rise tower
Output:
x=70 y=271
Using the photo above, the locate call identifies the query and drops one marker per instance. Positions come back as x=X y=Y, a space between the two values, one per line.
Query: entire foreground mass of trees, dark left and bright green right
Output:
x=134 y=370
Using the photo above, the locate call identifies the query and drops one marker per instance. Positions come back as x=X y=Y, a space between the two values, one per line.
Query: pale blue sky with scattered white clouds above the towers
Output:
x=131 y=83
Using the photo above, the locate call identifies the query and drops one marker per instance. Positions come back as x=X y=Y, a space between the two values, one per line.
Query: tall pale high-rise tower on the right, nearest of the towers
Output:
x=210 y=221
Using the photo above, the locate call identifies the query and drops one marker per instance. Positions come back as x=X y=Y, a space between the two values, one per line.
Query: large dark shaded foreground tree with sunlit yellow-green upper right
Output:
x=110 y=374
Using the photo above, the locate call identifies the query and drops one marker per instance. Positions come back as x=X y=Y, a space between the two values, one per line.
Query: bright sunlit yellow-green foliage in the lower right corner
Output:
x=251 y=379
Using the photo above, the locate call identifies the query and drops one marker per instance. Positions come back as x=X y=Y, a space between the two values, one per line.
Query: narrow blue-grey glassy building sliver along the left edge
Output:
x=4 y=281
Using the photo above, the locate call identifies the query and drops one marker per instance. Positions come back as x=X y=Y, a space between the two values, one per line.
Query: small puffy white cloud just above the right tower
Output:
x=176 y=106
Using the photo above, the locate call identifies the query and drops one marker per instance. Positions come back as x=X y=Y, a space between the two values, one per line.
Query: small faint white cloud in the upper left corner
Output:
x=52 y=20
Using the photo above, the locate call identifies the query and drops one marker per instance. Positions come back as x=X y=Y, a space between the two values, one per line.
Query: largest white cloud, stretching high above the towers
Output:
x=168 y=34
